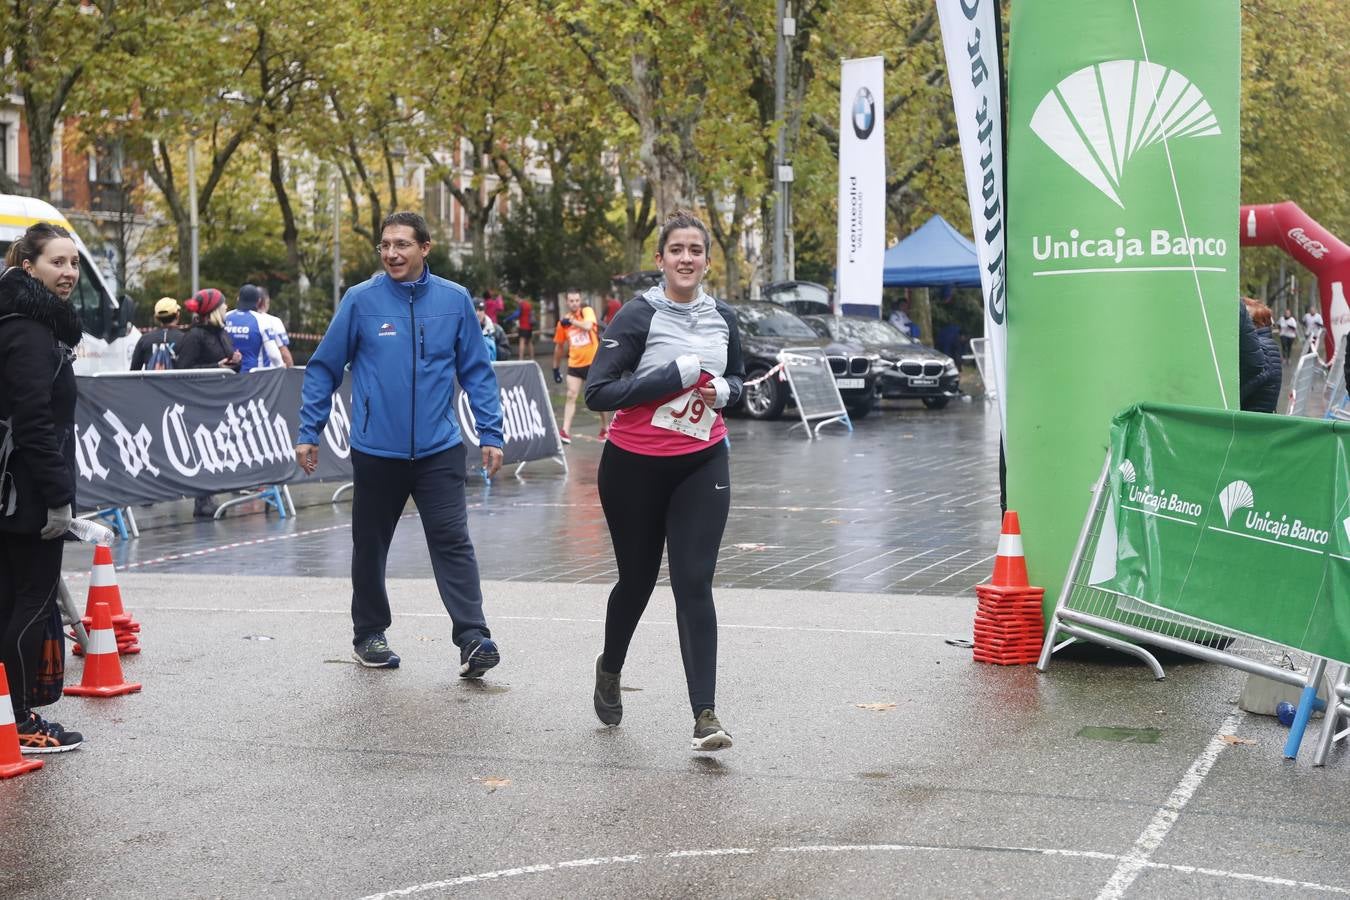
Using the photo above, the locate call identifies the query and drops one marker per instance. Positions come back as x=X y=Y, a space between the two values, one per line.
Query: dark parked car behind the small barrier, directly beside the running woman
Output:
x=769 y=329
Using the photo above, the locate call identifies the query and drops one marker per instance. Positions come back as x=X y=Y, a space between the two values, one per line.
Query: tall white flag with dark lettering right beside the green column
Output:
x=971 y=40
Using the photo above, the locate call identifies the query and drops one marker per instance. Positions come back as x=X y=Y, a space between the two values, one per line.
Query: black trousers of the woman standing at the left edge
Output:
x=30 y=571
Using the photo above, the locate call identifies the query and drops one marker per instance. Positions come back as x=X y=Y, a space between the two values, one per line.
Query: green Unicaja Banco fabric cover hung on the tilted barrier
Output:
x=1237 y=519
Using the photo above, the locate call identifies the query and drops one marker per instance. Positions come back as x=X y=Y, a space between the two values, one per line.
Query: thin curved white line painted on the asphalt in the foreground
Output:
x=848 y=848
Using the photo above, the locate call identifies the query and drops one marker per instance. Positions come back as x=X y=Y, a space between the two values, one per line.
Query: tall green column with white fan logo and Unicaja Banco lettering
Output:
x=1123 y=240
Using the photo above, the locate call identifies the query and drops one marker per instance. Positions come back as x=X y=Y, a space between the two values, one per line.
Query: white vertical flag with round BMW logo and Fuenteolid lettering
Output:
x=862 y=218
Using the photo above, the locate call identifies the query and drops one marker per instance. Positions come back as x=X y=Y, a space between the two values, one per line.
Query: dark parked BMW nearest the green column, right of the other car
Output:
x=911 y=370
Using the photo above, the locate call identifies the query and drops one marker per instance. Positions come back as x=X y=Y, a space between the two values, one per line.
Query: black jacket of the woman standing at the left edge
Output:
x=37 y=403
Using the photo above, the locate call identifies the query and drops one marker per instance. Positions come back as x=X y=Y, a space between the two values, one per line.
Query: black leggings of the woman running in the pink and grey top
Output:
x=678 y=504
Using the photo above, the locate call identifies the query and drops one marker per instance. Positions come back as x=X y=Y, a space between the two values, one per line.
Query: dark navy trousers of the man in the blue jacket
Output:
x=383 y=488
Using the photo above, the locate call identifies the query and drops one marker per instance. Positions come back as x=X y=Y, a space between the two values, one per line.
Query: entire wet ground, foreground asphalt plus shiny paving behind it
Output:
x=873 y=758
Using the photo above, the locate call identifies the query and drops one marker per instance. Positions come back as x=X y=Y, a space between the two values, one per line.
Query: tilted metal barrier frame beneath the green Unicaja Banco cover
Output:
x=1087 y=613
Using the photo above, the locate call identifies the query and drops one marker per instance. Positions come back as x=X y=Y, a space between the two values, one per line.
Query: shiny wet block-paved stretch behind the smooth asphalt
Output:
x=905 y=504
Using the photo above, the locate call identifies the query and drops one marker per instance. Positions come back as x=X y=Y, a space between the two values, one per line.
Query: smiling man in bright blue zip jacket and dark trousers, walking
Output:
x=407 y=335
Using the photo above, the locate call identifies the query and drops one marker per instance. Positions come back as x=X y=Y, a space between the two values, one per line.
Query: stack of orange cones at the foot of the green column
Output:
x=1009 y=621
